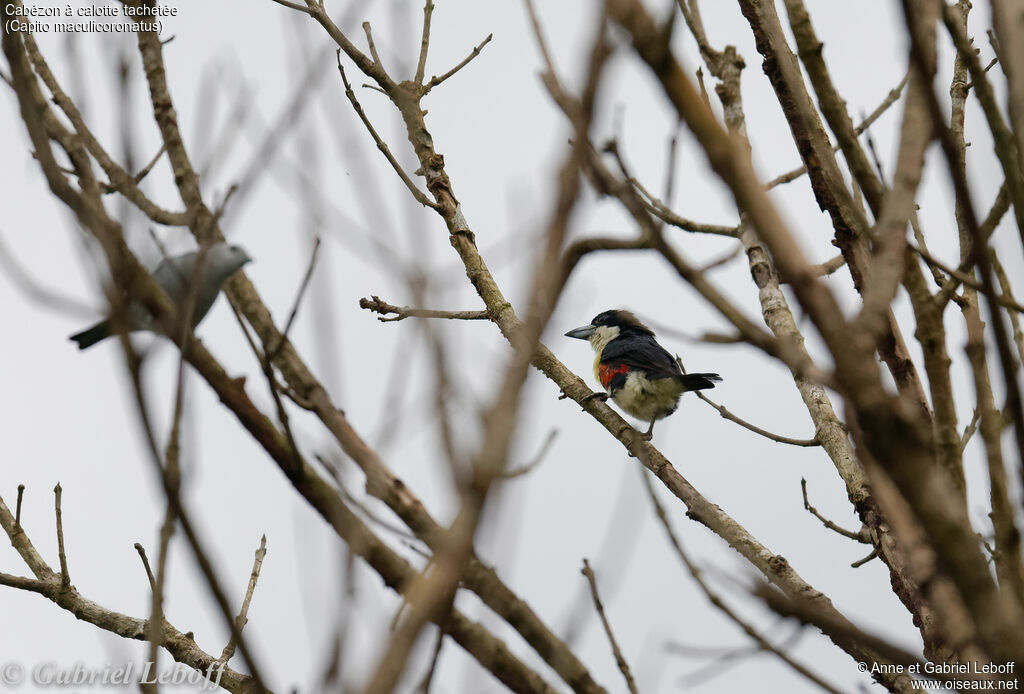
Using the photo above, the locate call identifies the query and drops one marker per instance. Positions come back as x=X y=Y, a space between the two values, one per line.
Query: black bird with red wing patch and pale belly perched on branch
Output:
x=636 y=372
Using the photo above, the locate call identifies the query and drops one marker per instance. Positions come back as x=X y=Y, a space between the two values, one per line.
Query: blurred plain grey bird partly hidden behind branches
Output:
x=175 y=277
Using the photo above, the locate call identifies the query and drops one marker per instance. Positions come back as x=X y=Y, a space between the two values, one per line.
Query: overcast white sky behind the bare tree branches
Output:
x=69 y=417
